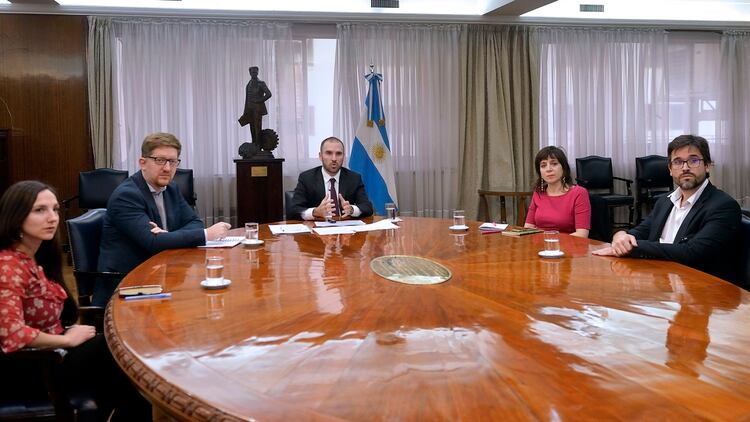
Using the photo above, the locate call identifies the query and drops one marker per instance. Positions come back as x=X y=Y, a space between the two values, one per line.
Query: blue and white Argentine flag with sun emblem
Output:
x=371 y=151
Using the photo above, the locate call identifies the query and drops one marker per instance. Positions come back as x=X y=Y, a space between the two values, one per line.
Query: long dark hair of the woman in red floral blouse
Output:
x=15 y=205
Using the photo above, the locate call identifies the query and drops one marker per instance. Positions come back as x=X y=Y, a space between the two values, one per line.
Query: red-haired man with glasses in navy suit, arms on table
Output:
x=147 y=214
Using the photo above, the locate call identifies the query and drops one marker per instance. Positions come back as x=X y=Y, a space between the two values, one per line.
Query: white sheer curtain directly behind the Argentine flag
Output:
x=419 y=63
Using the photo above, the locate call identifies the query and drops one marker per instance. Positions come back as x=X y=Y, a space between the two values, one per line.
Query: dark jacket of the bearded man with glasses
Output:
x=708 y=239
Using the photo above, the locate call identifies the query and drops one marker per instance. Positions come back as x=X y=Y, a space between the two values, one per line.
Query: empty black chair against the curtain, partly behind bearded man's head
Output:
x=652 y=180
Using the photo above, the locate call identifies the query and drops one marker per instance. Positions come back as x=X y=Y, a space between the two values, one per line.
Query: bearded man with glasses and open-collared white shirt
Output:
x=696 y=225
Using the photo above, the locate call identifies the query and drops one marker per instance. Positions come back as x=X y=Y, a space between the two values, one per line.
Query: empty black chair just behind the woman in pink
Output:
x=595 y=174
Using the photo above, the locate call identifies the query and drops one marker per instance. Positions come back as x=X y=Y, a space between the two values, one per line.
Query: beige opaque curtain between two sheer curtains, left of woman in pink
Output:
x=498 y=113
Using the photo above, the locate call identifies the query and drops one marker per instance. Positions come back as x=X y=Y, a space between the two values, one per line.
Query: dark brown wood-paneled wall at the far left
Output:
x=43 y=80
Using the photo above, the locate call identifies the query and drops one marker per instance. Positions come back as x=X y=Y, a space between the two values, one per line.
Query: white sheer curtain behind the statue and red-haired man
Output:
x=188 y=77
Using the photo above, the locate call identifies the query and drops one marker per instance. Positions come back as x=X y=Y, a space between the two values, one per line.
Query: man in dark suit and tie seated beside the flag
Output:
x=330 y=189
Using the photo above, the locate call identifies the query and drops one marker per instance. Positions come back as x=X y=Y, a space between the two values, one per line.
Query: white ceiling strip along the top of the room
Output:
x=683 y=12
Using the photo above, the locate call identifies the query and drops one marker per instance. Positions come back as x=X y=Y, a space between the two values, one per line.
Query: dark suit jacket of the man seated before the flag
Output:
x=310 y=191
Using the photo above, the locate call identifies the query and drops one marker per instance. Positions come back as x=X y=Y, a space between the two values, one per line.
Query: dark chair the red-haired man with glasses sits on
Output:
x=85 y=233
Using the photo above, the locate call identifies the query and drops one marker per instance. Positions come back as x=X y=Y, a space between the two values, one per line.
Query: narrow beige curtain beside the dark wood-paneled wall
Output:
x=99 y=67
